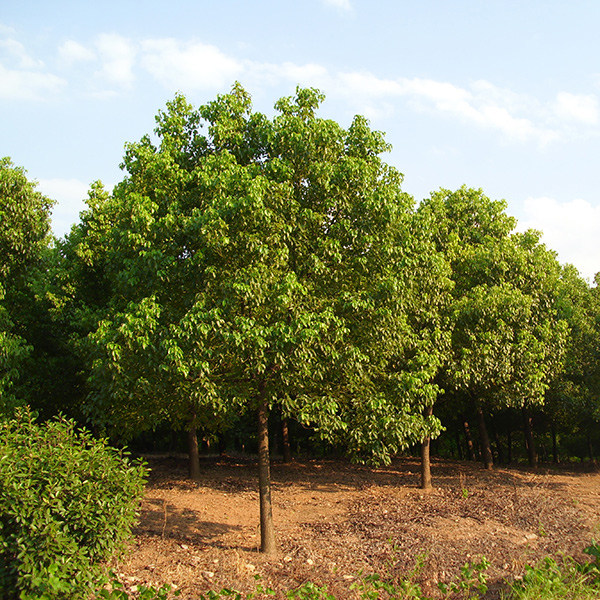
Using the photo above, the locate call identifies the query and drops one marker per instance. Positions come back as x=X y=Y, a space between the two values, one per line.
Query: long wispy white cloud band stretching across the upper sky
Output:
x=116 y=62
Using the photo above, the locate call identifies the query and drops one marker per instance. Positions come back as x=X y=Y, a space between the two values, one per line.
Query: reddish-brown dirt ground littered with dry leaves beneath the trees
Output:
x=335 y=520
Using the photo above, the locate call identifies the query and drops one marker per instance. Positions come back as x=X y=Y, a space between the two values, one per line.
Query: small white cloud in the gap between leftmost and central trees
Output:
x=70 y=195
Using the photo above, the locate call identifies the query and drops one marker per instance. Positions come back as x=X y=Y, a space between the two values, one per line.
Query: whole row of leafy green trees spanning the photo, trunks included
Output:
x=248 y=264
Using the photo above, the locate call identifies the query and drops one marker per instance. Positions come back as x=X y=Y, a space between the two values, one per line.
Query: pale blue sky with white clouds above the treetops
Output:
x=500 y=95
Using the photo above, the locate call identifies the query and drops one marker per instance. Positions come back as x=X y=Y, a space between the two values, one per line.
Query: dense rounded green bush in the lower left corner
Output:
x=67 y=503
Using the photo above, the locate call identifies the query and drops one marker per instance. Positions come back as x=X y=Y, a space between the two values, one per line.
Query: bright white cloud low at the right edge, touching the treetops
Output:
x=570 y=228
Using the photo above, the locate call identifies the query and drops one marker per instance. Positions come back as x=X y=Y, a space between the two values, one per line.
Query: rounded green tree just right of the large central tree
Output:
x=507 y=339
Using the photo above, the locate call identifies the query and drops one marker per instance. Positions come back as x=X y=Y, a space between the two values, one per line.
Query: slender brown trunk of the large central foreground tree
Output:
x=267 y=529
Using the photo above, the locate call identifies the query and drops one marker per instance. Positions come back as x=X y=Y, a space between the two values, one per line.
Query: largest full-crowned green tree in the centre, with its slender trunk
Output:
x=255 y=263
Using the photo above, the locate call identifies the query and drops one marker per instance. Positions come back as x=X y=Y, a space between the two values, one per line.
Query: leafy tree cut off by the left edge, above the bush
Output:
x=24 y=237
